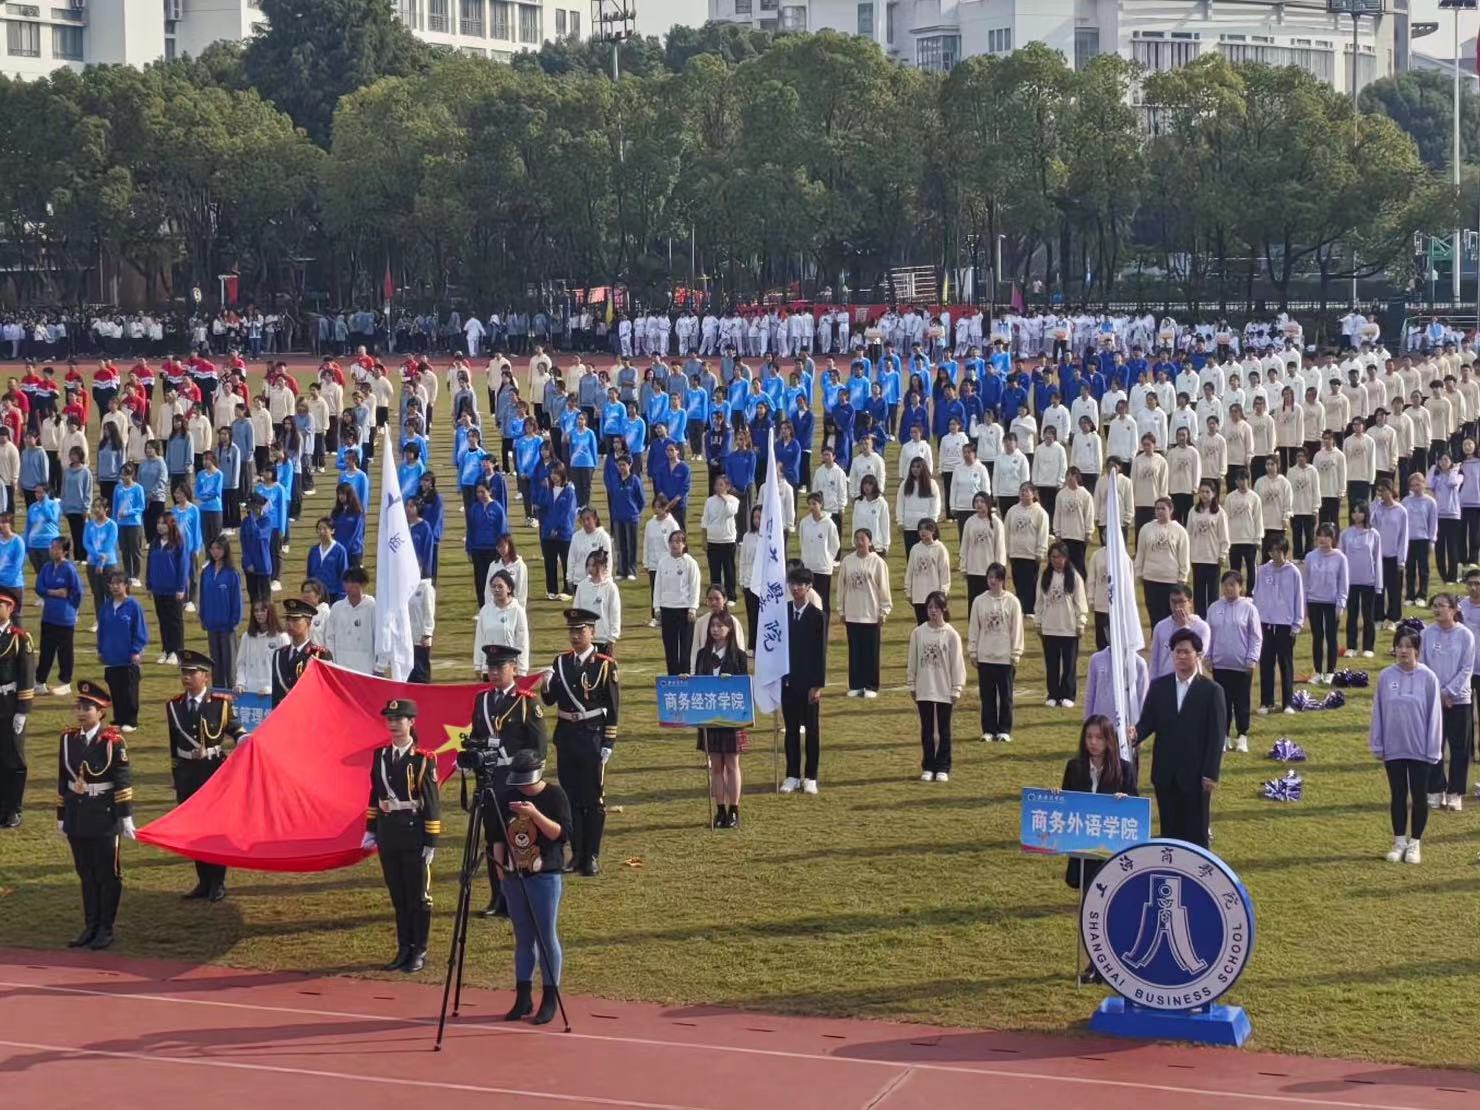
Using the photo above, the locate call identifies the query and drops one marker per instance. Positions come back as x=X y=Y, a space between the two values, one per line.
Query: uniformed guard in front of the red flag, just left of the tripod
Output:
x=405 y=821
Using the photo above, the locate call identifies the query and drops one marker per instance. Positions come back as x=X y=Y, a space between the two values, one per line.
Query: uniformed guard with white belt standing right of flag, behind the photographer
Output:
x=582 y=684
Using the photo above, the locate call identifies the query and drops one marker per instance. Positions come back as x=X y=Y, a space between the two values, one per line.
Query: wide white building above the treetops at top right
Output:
x=1161 y=35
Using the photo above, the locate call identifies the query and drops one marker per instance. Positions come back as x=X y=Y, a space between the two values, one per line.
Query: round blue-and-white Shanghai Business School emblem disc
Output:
x=1168 y=926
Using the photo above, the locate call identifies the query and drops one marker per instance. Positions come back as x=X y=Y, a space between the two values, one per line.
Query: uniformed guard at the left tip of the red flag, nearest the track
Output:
x=94 y=806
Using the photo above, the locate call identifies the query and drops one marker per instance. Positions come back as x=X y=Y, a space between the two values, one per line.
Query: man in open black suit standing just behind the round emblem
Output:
x=1189 y=717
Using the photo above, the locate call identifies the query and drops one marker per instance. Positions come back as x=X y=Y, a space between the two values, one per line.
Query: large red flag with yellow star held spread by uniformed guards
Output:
x=292 y=798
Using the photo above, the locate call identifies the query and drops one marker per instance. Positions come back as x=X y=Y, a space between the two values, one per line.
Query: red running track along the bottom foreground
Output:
x=101 y=1031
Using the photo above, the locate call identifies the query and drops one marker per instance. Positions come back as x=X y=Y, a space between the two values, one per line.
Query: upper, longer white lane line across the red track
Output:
x=773 y=1053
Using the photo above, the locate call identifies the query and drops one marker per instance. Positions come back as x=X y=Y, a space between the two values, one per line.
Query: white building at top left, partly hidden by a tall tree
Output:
x=41 y=38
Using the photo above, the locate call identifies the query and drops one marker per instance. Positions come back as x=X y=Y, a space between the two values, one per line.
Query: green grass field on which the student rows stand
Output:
x=880 y=898
